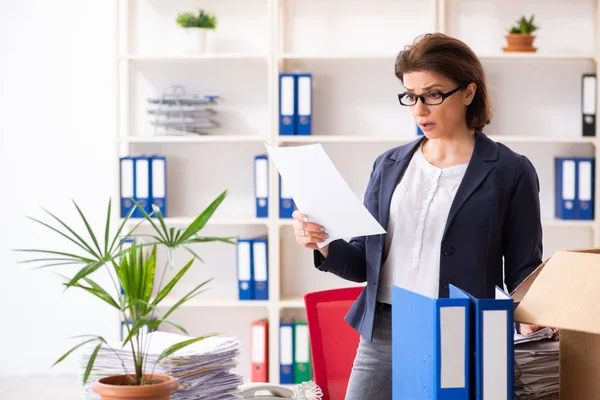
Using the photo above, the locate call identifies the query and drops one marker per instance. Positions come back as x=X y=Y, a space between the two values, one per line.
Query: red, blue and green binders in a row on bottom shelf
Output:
x=295 y=365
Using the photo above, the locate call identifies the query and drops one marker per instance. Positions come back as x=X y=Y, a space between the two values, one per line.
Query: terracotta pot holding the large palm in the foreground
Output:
x=112 y=388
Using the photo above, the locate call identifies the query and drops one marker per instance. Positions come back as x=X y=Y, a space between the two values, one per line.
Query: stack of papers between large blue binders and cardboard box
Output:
x=536 y=370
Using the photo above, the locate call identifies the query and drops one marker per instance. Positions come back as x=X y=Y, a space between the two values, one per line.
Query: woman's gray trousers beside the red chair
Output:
x=371 y=376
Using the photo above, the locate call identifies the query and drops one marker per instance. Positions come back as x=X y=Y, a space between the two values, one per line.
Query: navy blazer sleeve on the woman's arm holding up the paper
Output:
x=348 y=259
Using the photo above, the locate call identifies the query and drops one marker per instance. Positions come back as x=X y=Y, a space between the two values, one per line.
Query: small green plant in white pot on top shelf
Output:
x=198 y=30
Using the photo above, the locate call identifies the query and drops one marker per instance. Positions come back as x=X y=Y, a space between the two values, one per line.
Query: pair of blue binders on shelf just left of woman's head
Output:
x=295 y=104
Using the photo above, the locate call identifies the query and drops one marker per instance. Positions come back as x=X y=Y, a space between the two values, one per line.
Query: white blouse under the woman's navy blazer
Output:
x=418 y=213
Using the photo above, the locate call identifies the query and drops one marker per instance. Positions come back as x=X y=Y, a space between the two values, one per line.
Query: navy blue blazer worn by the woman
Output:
x=495 y=214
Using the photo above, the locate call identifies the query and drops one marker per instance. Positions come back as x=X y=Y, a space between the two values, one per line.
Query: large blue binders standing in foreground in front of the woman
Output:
x=452 y=348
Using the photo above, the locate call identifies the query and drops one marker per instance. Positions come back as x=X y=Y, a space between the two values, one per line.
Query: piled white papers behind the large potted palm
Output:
x=203 y=369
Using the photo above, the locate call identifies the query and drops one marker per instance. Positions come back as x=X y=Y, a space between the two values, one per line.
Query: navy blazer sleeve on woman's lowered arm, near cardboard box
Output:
x=523 y=227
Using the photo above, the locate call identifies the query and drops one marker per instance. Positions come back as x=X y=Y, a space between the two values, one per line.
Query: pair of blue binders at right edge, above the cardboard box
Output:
x=574 y=188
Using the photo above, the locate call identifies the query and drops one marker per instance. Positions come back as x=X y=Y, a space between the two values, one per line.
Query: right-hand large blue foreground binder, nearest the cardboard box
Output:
x=493 y=334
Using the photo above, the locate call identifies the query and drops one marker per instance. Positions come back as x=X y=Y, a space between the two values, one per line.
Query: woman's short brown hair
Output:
x=455 y=60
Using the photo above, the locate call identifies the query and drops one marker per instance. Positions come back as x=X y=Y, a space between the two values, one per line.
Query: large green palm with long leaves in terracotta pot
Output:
x=132 y=291
